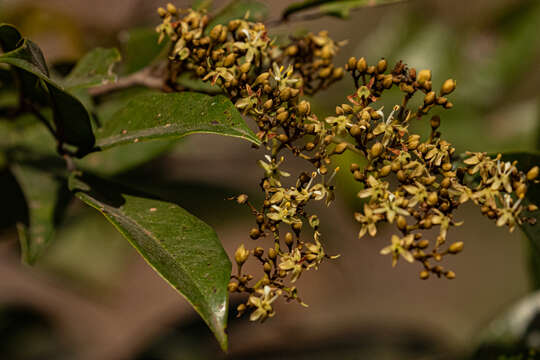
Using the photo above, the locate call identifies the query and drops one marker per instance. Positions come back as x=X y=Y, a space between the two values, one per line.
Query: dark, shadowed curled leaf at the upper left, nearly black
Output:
x=71 y=119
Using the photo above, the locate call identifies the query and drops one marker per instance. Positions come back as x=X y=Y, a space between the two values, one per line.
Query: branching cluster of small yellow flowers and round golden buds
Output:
x=407 y=181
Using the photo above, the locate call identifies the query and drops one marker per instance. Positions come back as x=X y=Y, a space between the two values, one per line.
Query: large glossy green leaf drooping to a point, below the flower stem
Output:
x=184 y=250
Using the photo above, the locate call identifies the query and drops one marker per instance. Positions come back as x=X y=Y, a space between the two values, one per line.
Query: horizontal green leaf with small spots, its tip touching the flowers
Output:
x=169 y=116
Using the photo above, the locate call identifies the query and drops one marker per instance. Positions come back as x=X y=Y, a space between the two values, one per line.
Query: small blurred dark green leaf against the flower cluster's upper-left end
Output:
x=140 y=48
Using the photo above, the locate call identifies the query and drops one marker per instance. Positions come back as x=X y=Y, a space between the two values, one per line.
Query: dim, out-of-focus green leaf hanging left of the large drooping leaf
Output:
x=46 y=196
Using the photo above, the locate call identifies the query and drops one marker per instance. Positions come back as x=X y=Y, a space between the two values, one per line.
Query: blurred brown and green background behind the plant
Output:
x=92 y=297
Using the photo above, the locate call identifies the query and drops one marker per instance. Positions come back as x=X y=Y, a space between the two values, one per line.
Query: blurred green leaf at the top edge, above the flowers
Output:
x=338 y=8
